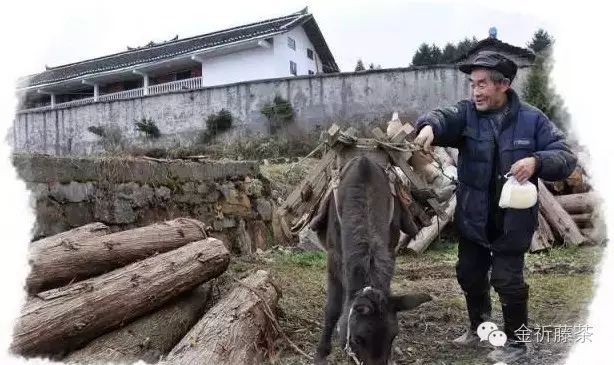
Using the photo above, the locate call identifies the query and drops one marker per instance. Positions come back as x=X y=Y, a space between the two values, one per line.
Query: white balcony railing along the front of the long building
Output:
x=185 y=84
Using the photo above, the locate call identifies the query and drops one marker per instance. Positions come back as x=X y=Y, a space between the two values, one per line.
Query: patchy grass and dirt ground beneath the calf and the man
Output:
x=561 y=287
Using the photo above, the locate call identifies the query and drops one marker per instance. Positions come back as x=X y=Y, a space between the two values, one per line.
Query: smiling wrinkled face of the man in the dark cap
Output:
x=487 y=95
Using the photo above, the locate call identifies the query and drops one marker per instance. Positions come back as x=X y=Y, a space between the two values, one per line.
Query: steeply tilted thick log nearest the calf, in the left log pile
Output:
x=238 y=330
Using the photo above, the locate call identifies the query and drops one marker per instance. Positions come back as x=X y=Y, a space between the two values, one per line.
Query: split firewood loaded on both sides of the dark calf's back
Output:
x=425 y=182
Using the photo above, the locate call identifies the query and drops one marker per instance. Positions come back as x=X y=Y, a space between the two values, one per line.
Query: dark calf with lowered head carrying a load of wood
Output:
x=360 y=235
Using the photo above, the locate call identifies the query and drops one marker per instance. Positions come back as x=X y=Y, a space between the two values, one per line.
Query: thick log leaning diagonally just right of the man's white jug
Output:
x=558 y=219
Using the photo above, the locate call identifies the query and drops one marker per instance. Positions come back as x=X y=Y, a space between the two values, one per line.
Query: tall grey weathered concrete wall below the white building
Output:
x=356 y=97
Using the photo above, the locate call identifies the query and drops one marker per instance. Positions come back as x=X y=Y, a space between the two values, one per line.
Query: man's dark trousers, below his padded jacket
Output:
x=506 y=276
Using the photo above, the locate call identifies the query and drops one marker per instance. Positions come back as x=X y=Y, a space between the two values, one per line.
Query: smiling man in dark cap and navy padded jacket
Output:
x=495 y=133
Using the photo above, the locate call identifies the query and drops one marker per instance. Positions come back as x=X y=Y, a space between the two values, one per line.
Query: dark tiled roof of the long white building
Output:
x=155 y=52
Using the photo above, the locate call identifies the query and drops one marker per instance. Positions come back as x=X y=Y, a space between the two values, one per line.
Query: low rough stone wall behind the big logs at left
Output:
x=231 y=197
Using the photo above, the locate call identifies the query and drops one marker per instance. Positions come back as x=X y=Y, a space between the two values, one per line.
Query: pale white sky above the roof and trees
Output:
x=385 y=32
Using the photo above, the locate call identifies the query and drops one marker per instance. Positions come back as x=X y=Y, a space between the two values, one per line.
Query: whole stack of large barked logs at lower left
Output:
x=141 y=294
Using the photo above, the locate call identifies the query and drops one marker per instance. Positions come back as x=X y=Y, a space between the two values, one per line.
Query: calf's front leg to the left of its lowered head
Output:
x=334 y=304
